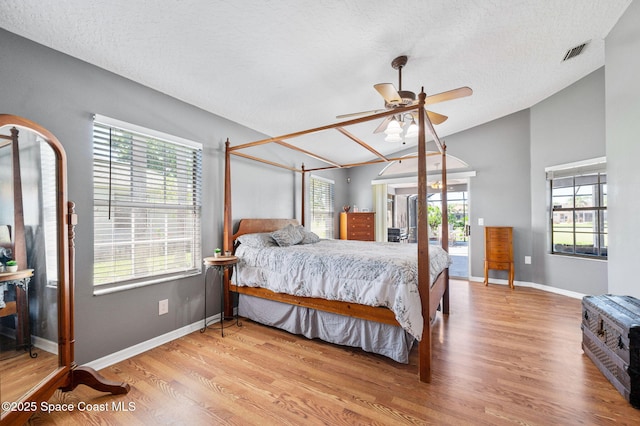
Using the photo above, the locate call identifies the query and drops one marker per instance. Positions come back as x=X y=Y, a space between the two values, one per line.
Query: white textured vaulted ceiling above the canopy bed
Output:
x=284 y=66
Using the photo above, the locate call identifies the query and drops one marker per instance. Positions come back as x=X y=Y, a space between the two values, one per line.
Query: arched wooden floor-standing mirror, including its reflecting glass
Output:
x=37 y=273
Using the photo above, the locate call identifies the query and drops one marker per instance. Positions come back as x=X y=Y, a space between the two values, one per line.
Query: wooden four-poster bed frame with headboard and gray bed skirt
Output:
x=340 y=313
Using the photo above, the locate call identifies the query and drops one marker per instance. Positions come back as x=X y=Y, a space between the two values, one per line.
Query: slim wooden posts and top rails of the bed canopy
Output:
x=424 y=123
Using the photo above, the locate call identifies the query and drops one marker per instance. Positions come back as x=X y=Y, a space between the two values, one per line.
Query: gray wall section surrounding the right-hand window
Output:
x=566 y=127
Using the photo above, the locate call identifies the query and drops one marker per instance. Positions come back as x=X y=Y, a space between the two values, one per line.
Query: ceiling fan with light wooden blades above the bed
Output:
x=400 y=98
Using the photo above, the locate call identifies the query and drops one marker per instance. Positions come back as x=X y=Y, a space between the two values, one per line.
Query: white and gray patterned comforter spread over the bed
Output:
x=374 y=274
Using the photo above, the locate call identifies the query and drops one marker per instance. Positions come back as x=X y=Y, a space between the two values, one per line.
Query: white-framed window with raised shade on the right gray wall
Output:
x=579 y=209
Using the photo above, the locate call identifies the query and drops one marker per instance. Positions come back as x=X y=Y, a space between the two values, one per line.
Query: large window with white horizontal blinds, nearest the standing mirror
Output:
x=147 y=206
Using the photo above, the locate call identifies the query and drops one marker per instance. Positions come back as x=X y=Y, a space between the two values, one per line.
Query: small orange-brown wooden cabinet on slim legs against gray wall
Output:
x=498 y=251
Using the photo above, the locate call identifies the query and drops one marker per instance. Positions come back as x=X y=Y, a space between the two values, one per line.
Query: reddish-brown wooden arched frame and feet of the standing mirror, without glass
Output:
x=68 y=375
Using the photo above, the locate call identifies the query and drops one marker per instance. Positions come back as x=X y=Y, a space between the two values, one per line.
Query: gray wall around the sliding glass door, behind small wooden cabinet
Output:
x=499 y=152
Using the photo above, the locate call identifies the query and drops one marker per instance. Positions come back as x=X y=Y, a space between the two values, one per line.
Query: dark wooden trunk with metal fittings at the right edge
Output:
x=611 y=339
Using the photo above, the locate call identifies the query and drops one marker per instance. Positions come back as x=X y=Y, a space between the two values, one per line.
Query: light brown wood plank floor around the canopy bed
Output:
x=501 y=357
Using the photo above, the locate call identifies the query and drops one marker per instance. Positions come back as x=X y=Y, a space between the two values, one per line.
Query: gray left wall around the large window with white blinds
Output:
x=61 y=93
